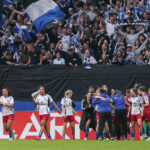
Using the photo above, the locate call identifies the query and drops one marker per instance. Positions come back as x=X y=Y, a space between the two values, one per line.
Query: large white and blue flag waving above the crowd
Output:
x=42 y=12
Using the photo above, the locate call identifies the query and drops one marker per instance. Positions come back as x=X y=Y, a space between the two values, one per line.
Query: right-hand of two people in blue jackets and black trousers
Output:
x=120 y=113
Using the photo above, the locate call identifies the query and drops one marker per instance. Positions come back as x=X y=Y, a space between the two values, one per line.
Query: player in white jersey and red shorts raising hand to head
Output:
x=42 y=100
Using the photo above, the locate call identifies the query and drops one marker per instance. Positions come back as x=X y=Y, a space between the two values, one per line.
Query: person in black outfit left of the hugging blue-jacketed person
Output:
x=88 y=119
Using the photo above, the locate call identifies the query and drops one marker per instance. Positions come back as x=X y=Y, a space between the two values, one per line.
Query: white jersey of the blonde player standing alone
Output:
x=67 y=102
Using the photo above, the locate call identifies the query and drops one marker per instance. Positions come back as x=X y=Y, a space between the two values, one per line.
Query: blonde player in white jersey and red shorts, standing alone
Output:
x=68 y=113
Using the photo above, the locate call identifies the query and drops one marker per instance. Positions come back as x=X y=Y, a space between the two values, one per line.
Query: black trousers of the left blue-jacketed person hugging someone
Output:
x=105 y=116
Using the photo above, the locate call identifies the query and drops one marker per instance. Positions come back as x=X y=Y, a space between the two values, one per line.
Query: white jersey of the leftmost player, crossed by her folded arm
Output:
x=7 y=110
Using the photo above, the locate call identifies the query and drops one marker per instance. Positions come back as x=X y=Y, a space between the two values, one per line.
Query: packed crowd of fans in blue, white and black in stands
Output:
x=93 y=32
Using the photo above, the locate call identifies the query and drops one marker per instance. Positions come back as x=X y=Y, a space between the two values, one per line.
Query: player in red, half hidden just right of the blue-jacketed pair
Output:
x=127 y=106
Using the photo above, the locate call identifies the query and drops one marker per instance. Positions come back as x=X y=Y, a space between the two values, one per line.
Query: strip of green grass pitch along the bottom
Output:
x=73 y=145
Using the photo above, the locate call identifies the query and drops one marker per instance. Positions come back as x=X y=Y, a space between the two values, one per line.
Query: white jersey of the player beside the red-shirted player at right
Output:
x=136 y=105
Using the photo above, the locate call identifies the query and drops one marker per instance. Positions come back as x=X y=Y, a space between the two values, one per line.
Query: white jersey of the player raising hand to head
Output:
x=43 y=104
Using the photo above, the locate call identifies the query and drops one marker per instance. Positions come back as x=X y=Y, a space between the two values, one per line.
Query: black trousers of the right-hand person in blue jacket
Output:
x=120 y=115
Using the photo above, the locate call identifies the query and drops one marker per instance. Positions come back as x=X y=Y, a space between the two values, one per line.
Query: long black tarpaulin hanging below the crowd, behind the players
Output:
x=24 y=80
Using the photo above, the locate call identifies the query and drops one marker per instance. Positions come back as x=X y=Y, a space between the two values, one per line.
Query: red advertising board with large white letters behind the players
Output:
x=27 y=126
